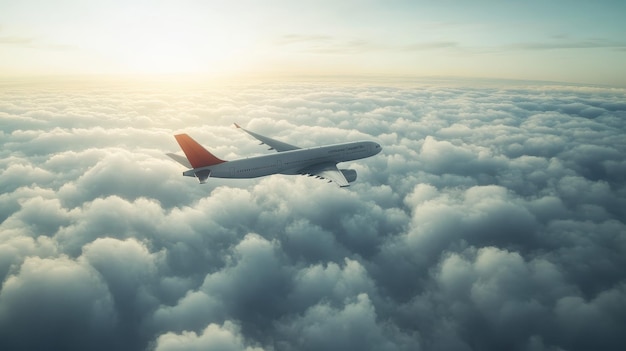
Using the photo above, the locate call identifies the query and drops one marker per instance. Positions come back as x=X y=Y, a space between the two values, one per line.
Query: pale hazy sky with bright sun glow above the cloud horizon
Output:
x=564 y=41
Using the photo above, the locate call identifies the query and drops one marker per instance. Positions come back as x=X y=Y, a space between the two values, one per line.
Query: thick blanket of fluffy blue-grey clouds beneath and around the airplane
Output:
x=493 y=219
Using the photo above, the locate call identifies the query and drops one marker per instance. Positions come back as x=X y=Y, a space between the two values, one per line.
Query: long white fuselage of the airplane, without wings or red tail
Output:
x=290 y=162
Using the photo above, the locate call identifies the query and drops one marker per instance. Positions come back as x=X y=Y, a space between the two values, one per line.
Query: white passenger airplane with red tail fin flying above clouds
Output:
x=320 y=161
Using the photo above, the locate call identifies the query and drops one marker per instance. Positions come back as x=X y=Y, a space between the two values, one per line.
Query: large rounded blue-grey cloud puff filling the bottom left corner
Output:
x=56 y=303
